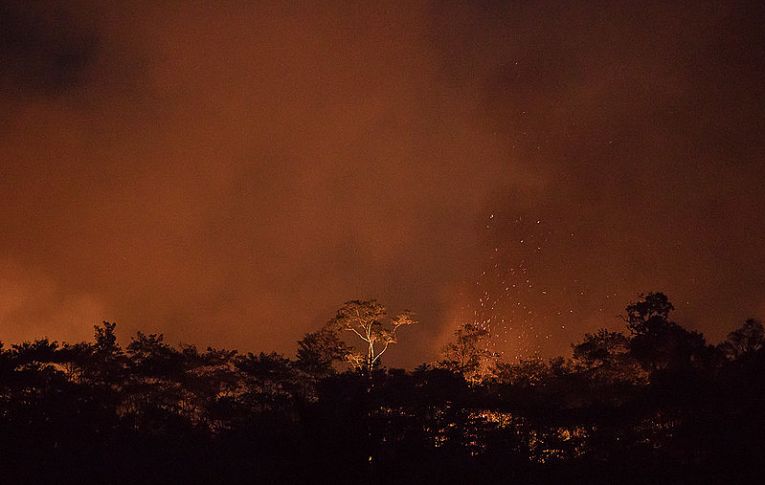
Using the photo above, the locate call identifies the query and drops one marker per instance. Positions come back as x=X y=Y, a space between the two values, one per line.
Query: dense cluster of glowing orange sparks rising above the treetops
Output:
x=526 y=313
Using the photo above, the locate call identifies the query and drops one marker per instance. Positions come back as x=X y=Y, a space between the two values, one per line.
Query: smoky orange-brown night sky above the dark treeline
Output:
x=230 y=173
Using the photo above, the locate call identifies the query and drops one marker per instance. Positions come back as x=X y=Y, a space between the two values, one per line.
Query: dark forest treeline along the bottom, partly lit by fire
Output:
x=655 y=403
